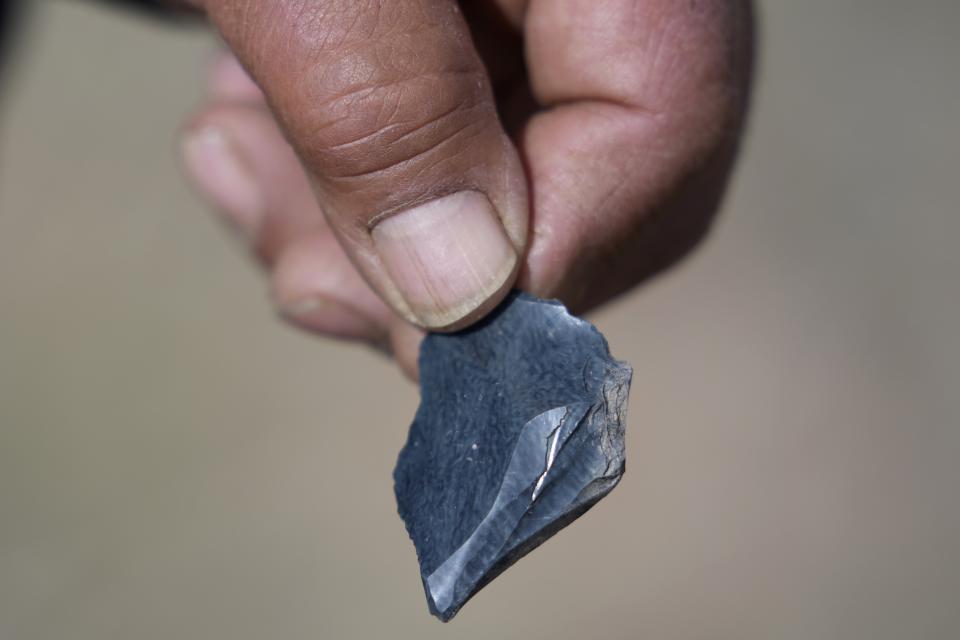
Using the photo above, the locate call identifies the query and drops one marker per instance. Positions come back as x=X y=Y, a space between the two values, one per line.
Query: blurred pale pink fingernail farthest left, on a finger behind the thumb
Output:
x=222 y=176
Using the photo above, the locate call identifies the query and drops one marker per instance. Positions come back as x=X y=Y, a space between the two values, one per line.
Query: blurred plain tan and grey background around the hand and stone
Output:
x=176 y=464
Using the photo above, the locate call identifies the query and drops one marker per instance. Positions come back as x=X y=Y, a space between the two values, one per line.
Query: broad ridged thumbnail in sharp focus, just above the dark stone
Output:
x=446 y=257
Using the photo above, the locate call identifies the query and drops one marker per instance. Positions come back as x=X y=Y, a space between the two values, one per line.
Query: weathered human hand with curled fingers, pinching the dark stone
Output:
x=439 y=155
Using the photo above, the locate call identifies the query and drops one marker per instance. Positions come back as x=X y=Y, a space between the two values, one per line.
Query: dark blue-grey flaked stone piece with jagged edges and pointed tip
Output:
x=519 y=431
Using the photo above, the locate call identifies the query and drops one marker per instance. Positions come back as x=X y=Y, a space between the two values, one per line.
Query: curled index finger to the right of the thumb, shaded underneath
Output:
x=646 y=101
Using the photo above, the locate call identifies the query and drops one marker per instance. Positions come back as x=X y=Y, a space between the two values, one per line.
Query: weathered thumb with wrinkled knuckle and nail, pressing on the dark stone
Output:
x=391 y=112
